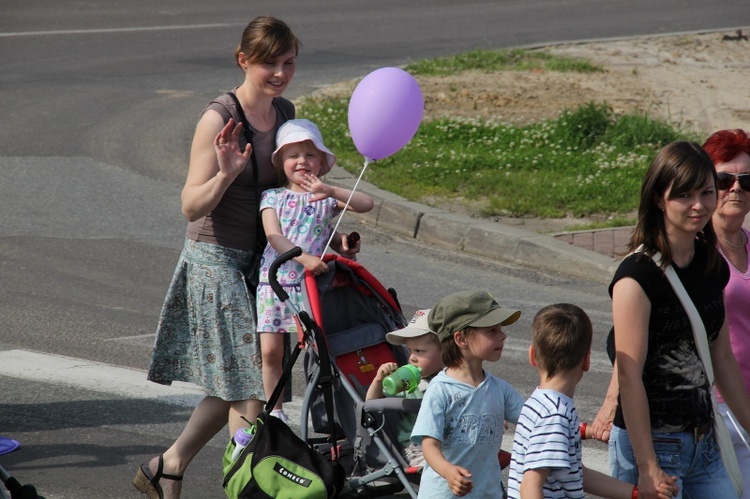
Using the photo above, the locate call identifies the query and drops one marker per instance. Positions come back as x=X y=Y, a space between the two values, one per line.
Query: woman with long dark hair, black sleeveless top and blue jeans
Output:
x=663 y=425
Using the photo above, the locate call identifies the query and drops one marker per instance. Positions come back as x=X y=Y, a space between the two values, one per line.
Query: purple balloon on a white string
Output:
x=385 y=112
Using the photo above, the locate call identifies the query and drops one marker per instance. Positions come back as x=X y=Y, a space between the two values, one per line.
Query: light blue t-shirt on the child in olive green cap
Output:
x=469 y=423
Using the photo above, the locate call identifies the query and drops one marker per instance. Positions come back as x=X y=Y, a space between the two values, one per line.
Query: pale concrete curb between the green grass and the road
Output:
x=474 y=236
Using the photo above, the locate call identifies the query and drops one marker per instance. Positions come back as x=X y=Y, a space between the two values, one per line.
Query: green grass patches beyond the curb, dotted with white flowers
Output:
x=586 y=161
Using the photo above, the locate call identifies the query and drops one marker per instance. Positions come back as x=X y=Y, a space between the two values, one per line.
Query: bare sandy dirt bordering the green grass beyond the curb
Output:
x=697 y=80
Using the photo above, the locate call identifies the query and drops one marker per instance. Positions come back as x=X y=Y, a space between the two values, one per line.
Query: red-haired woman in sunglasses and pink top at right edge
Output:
x=730 y=152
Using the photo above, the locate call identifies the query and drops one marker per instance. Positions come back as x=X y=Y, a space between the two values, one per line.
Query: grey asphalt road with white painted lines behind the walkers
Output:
x=98 y=106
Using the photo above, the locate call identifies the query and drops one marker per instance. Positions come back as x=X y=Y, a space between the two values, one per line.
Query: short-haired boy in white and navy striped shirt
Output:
x=546 y=461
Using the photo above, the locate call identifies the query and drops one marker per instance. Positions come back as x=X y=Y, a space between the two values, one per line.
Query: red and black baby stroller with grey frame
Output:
x=347 y=315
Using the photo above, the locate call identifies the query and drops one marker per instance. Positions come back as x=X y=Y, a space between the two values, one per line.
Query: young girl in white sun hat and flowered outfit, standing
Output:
x=298 y=214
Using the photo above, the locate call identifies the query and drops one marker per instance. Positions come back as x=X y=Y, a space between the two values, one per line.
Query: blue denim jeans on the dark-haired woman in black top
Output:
x=697 y=465
